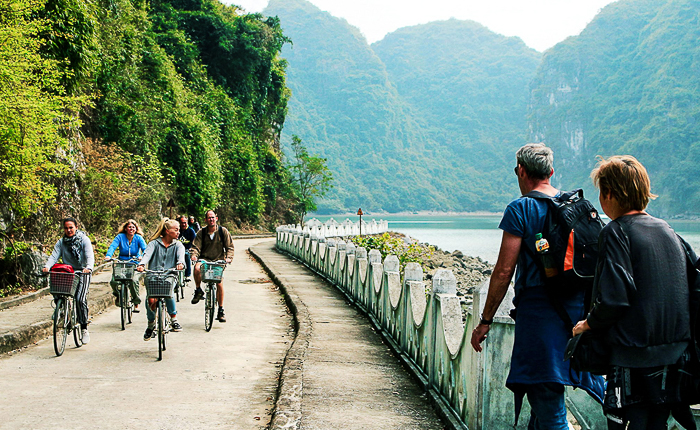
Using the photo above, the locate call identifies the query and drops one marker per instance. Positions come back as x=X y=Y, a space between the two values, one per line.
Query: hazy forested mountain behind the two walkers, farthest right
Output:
x=628 y=84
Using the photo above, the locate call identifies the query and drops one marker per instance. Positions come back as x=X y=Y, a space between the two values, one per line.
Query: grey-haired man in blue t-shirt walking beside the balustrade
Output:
x=538 y=369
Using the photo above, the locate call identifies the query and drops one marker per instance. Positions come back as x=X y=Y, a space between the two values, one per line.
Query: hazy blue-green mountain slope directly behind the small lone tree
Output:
x=345 y=109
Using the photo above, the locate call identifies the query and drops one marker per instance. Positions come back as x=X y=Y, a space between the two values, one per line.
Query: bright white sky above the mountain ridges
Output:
x=541 y=24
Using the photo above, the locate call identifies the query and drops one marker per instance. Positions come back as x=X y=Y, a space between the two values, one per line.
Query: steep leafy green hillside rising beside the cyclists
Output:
x=110 y=108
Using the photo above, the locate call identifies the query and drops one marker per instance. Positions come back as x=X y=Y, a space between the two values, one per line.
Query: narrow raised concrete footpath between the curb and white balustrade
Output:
x=349 y=378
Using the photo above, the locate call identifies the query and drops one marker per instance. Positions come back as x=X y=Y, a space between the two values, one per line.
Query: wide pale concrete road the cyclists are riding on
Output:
x=223 y=379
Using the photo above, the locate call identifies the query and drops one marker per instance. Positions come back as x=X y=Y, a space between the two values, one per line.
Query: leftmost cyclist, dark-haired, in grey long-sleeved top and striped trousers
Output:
x=75 y=249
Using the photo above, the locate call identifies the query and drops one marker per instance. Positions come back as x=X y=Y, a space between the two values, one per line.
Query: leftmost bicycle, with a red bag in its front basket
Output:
x=63 y=285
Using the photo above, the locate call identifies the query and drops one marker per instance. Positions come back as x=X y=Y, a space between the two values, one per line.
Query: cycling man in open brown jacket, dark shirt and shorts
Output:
x=211 y=243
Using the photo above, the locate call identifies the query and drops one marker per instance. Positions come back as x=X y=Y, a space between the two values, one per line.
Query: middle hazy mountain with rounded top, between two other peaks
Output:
x=469 y=87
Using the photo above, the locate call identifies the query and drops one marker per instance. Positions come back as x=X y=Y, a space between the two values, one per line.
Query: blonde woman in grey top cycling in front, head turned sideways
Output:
x=164 y=251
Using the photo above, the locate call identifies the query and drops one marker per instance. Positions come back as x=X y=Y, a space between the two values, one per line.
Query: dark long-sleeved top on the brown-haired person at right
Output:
x=641 y=292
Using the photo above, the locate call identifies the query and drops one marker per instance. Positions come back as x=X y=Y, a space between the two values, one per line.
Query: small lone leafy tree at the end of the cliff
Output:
x=311 y=178
